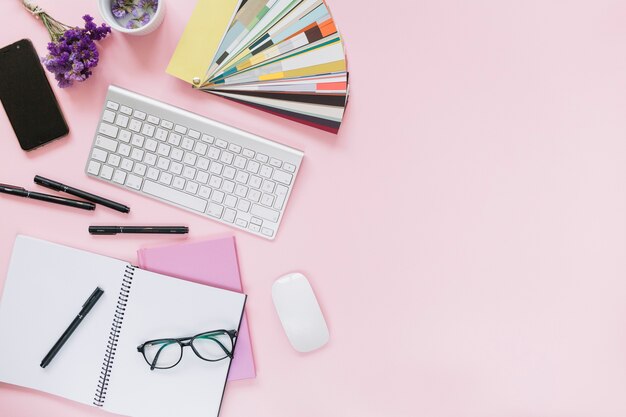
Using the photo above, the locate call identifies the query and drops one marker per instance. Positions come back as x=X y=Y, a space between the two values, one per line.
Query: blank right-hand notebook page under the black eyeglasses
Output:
x=163 y=307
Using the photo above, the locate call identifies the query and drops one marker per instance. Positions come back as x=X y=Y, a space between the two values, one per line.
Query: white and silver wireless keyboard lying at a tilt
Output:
x=192 y=162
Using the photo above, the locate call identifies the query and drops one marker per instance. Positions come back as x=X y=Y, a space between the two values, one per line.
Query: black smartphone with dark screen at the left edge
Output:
x=27 y=97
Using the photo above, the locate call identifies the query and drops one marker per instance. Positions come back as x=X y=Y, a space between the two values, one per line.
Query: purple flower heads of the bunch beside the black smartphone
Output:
x=73 y=55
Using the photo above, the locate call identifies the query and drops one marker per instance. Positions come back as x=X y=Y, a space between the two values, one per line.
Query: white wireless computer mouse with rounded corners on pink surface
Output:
x=299 y=312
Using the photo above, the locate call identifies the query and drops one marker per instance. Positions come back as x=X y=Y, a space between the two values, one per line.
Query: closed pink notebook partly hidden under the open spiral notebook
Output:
x=210 y=262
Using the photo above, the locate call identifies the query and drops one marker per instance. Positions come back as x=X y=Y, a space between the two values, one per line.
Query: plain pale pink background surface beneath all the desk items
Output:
x=465 y=232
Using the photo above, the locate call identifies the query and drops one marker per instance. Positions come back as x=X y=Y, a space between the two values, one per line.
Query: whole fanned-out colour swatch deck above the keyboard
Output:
x=285 y=57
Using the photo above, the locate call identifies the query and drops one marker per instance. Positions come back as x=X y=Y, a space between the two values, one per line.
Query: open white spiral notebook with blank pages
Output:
x=99 y=365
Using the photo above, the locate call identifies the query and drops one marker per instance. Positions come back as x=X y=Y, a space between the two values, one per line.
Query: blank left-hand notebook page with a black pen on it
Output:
x=45 y=288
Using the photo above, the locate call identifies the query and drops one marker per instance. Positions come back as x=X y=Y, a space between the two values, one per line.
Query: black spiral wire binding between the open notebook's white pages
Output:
x=116 y=327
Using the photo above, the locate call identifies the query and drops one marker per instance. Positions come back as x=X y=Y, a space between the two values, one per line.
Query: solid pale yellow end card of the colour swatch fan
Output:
x=201 y=38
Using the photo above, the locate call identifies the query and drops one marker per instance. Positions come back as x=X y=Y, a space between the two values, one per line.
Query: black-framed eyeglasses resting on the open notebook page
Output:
x=210 y=346
